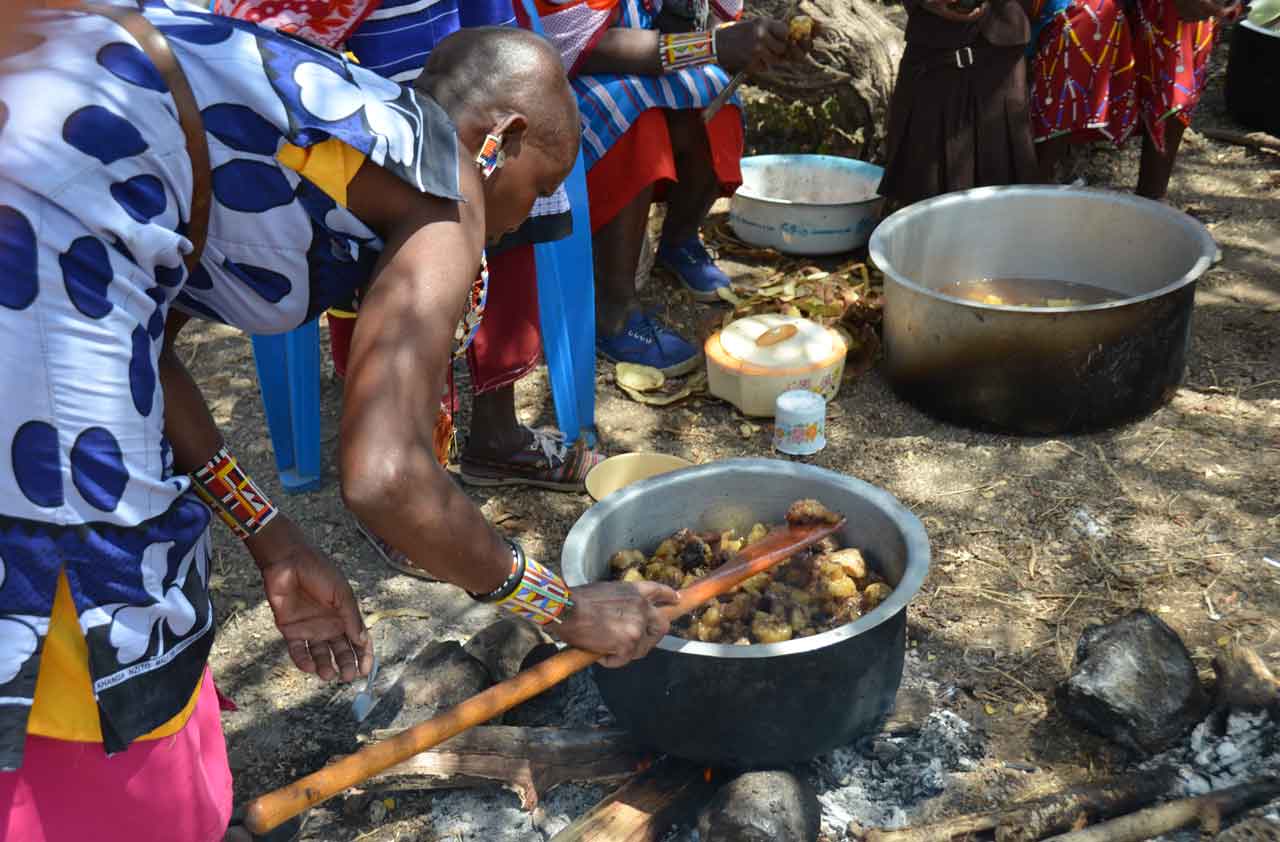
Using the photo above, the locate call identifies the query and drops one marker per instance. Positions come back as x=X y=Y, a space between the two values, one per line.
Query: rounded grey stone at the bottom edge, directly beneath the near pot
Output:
x=762 y=807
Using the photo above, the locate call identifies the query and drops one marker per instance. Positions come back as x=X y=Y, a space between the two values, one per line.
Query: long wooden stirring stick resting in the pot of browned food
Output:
x=273 y=809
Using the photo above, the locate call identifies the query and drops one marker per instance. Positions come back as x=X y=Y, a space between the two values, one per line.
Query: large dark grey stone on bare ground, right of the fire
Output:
x=1135 y=684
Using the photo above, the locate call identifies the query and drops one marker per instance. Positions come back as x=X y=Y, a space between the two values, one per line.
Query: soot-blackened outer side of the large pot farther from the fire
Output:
x=1046 y=374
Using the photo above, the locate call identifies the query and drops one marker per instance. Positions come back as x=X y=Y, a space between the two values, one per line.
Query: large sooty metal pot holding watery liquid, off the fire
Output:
x=1040 y=370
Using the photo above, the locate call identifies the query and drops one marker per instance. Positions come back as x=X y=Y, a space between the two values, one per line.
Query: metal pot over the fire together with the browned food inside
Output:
x=793 y=663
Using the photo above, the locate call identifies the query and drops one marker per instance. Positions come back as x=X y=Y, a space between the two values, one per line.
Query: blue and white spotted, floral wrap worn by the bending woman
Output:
x=95 y=187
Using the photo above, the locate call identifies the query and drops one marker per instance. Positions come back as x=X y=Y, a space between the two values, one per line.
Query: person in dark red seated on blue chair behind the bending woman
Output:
x=392 y=38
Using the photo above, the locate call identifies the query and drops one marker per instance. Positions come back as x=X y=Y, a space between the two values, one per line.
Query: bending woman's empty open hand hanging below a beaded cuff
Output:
x=313 y=605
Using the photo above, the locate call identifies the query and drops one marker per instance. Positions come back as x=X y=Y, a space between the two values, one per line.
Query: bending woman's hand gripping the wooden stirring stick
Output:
x=618 y=620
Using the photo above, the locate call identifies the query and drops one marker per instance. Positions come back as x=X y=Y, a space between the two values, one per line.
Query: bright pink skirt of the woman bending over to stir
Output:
x=173 y=789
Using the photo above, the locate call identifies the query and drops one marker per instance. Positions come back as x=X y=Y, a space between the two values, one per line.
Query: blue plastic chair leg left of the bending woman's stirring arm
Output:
x=289 y=378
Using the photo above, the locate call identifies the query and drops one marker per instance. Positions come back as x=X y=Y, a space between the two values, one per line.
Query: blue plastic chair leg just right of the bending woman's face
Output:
x=566 y=303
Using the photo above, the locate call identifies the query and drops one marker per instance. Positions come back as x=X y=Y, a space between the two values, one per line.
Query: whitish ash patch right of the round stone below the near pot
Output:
x=883 y=781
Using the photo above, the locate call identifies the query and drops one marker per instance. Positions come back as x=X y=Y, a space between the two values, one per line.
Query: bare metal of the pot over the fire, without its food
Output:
x=762 y=706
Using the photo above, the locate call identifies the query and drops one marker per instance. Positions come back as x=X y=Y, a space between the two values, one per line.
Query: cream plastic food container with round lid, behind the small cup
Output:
x=755 y=360
